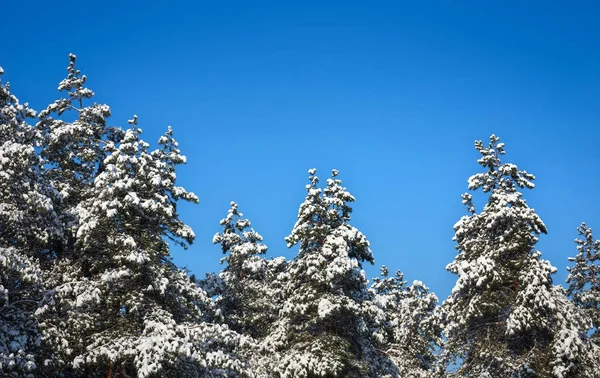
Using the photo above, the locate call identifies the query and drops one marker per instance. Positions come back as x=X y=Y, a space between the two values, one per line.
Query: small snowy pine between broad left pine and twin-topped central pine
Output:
x=246 y=299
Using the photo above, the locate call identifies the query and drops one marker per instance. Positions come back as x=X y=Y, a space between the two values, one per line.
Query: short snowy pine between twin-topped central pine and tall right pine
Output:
x=407 y=327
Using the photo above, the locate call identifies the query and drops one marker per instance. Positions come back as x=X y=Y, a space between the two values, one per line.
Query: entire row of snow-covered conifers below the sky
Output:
x=88 y=288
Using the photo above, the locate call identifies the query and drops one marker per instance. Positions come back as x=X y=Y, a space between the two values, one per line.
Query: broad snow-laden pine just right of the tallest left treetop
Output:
x=120 y=305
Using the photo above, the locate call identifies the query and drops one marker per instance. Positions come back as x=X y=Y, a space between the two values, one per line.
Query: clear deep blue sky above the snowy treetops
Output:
x=392 y=94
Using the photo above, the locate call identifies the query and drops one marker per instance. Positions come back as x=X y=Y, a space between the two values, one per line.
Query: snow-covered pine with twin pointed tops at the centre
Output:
x=322 y=331
